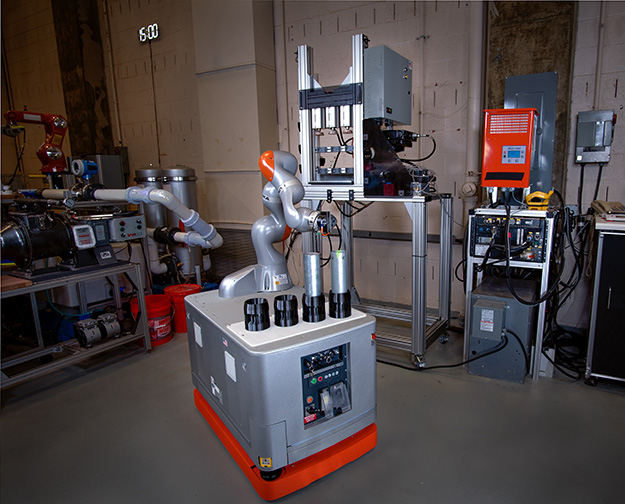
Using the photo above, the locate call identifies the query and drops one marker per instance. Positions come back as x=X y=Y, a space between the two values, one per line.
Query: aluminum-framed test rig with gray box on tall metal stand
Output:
x=350 y=139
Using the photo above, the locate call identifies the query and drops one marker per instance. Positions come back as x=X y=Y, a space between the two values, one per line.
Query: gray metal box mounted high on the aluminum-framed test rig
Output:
x=387 y=85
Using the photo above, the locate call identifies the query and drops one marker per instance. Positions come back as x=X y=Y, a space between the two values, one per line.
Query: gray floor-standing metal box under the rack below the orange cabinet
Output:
x=493 y=311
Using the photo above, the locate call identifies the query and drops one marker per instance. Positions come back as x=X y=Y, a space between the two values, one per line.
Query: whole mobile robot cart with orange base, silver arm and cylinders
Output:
x=285 y=379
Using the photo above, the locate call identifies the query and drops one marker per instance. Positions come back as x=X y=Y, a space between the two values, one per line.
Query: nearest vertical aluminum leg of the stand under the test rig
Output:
x=418 y=211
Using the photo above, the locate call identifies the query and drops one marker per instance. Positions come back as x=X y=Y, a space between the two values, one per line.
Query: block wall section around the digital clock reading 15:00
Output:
x=157 y=102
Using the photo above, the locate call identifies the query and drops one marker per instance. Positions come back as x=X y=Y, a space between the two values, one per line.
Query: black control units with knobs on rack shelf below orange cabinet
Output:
x=527 y=237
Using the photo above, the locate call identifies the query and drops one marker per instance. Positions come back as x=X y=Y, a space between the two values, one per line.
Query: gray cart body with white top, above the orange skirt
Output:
x=284 y=393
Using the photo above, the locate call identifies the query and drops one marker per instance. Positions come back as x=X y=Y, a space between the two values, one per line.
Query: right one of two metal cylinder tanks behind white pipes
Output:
x=180 y=181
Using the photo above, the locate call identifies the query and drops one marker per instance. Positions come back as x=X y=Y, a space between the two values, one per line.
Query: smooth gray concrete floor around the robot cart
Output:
x=125 y=430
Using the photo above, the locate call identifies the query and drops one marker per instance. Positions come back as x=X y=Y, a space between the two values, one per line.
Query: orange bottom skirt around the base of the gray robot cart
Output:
x=299 y=474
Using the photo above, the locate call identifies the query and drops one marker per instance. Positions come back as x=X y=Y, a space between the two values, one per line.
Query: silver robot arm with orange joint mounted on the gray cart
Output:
x=280 y=195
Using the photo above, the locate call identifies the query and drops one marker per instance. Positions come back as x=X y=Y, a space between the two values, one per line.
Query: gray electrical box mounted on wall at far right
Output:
x=594 y=136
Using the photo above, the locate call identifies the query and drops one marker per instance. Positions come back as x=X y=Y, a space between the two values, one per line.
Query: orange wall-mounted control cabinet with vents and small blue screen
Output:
x=508 y=147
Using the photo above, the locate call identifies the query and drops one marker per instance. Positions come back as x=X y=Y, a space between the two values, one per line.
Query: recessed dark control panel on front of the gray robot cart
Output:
x=325 y=384
